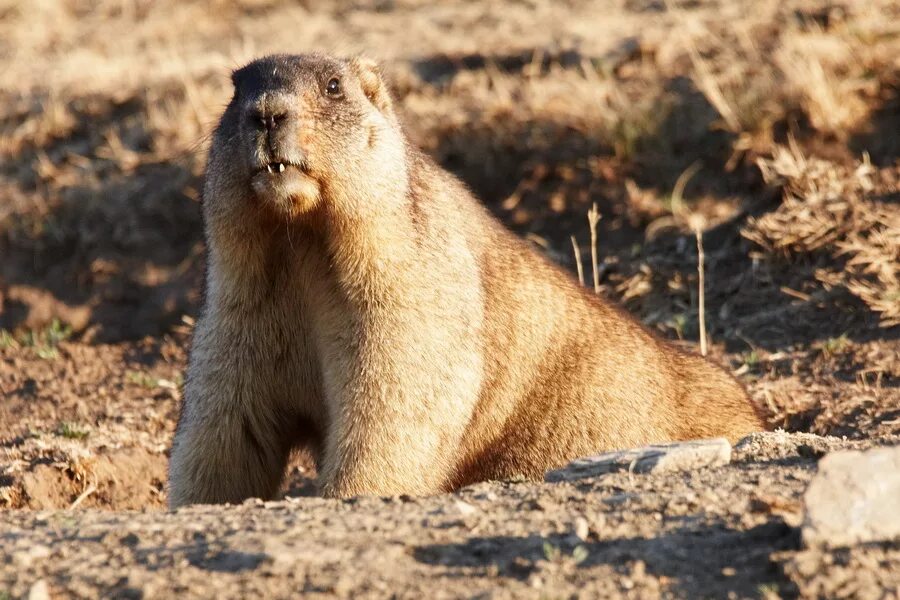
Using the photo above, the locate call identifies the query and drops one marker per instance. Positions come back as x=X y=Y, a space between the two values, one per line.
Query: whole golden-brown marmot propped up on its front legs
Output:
x=362 y=304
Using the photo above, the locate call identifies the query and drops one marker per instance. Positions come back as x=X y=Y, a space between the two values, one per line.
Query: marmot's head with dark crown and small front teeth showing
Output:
x=298 y=130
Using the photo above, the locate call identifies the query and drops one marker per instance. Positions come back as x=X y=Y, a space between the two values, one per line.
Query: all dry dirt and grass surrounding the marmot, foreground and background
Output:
x=773 y=131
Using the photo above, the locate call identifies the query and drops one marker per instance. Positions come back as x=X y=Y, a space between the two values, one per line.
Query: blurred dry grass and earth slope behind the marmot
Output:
x=773 y=127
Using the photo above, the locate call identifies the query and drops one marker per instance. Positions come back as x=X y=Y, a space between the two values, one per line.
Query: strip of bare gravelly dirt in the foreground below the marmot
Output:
x=716 y=532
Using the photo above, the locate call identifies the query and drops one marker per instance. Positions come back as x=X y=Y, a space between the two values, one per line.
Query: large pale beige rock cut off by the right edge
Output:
x=854 y=498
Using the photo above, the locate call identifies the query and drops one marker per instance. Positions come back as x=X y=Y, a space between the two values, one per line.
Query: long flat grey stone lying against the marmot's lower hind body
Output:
x=677 y=456
